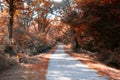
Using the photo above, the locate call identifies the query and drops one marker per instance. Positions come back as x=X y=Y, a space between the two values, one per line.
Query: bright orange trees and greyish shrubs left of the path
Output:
x=24 y=28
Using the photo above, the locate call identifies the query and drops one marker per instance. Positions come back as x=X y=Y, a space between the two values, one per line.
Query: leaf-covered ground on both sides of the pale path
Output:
x=35 y=67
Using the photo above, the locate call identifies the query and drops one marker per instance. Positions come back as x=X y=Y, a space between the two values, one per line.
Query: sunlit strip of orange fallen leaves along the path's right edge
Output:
x=113 y=73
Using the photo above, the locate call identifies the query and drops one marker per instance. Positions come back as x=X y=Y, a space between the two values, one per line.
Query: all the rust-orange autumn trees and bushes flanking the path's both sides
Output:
x=92 y=25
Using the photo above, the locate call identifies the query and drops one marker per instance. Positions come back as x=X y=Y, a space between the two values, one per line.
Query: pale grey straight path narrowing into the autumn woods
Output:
x=64 y=67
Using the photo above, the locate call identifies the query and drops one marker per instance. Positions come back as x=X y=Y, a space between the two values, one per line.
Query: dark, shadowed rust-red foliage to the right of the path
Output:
x=101 y=17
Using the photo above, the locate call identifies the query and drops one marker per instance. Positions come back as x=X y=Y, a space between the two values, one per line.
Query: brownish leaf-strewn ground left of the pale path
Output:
x=33 y=69
